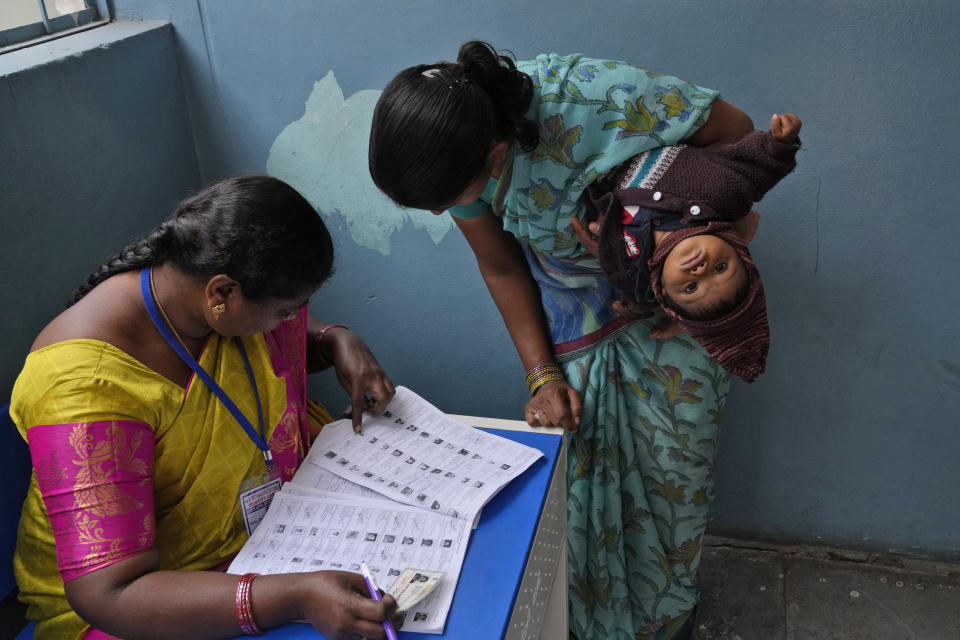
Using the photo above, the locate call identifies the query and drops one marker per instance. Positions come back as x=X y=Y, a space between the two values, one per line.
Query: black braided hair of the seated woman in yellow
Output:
x=256 y=229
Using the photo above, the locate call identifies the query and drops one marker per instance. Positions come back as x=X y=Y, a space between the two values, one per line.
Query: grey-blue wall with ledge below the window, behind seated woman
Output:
x=95 y=146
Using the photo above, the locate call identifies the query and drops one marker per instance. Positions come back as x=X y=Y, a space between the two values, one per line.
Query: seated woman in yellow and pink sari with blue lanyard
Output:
x=175 y=381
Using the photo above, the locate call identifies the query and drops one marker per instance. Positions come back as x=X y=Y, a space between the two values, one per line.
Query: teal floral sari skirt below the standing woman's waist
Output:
x=639 y=482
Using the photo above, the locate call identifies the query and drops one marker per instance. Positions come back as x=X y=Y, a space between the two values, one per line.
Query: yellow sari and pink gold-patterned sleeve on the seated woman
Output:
x=125 y=459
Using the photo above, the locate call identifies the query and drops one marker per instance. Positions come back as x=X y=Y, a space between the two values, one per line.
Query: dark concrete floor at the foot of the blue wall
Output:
x=754 y=591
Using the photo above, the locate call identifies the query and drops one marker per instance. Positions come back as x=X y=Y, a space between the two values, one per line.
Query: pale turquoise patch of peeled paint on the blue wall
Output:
x=324 y=156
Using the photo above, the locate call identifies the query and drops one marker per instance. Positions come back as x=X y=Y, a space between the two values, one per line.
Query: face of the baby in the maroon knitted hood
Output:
x=702 y=272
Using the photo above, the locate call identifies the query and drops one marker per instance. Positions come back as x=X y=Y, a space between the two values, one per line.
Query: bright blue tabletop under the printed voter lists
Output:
x=496 y=555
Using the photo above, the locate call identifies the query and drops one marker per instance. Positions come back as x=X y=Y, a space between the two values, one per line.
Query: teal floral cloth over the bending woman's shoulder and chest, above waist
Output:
x=593 y=115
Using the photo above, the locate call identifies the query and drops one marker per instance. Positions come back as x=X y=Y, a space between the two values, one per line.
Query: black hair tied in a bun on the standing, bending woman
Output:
x=434 y=124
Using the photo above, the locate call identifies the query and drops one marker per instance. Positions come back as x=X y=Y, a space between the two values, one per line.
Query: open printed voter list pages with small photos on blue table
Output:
x=403 y=493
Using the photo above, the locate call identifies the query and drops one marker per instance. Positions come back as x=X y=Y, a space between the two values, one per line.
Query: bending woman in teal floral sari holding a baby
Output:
x=509 y=150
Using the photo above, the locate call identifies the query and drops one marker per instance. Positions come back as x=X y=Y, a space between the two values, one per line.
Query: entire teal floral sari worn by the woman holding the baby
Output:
x=640 y=467
